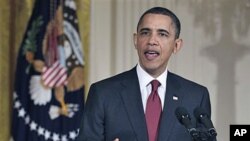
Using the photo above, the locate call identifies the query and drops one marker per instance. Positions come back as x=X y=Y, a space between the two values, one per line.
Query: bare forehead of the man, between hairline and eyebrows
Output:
x=157 y=21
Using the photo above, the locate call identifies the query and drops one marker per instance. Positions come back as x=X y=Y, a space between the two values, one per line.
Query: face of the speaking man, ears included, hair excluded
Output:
x=155 y=42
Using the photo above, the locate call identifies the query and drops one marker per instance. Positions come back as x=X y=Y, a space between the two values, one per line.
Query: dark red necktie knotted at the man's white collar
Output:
x=153 y=111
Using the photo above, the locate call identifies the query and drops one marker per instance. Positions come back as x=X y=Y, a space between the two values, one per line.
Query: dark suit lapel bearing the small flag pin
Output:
x=172 y=101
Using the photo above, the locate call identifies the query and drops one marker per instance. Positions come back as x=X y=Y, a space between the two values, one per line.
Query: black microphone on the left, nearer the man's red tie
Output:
x=184 y=118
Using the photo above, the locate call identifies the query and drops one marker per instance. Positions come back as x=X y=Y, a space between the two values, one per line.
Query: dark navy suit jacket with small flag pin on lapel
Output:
x=114 y=109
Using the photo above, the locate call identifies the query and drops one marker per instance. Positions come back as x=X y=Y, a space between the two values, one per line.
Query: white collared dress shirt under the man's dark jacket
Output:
x=145 y=86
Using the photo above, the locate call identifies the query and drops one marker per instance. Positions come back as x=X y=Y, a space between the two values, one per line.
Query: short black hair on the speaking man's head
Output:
x=163 y=11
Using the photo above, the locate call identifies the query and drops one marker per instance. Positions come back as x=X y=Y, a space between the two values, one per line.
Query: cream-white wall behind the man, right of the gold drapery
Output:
x=216 y=49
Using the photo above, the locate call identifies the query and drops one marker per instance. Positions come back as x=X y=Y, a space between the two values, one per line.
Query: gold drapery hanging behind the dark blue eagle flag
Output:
x=14 y=16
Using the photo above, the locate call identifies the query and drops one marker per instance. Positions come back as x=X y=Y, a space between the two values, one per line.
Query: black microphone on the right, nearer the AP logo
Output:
x=203 y=118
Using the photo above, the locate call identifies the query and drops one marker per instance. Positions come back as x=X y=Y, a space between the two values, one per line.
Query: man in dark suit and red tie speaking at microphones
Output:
x=122 y=108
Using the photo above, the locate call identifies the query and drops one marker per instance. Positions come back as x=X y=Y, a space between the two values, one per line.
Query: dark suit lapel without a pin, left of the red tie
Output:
x=131 y=97
